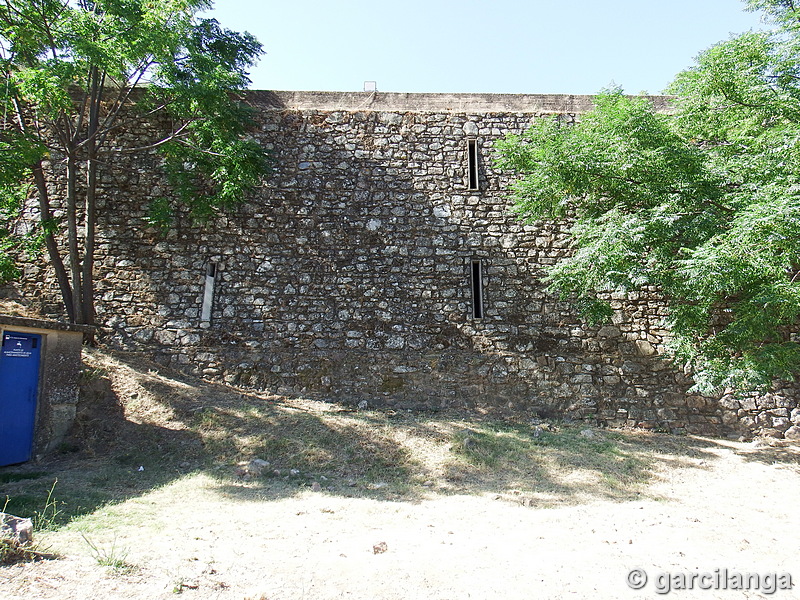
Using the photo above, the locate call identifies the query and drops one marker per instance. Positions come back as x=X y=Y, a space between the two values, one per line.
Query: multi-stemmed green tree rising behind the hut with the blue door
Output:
x=74 y=76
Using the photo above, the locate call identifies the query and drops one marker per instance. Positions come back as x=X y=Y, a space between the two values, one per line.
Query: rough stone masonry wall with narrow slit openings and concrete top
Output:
x=380 y=262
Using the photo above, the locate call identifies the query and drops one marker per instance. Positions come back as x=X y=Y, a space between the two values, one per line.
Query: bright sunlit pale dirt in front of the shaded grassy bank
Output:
x=736 y=508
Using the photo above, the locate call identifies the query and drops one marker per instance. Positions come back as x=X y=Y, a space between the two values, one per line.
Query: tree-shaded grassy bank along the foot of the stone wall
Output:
x=141 y=426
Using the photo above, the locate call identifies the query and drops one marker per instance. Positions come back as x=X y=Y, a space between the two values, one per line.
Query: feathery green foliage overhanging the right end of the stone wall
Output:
x=703 y=204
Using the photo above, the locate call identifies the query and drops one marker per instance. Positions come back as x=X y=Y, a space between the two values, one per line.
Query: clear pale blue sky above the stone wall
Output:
x=499 y=46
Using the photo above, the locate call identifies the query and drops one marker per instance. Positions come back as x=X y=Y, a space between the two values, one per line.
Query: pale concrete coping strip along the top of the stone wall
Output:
x=417 y=102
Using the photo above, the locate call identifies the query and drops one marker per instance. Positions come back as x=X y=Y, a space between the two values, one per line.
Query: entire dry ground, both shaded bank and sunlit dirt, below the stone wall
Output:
x=159 y=496
